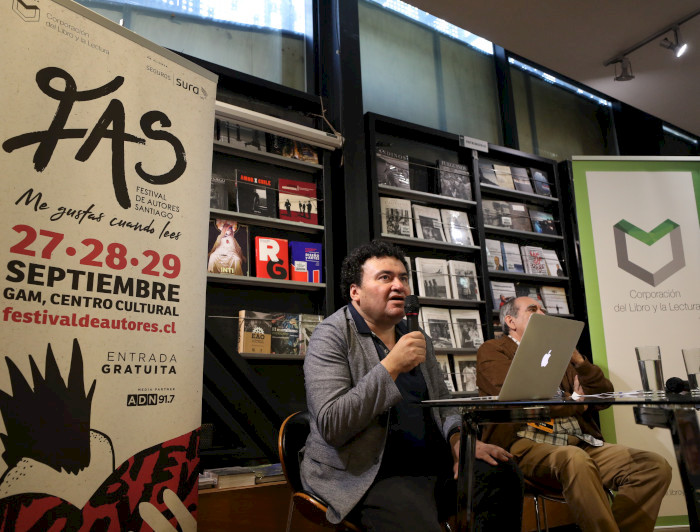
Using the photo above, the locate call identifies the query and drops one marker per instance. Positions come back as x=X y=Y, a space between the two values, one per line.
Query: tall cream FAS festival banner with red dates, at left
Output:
x=105 y=153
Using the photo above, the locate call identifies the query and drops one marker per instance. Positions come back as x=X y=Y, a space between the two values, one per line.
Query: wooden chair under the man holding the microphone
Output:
x=292 y=438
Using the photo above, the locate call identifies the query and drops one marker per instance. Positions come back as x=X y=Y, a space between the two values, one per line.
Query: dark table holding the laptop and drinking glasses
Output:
x=676 y=412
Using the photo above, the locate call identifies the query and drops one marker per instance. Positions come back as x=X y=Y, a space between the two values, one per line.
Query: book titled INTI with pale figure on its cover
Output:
x=228 y=247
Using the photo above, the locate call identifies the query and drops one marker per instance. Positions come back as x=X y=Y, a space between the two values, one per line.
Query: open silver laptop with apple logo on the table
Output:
x=540 y=361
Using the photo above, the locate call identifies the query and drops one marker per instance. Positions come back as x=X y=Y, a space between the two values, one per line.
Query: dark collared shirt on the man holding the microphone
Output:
x=414 y=445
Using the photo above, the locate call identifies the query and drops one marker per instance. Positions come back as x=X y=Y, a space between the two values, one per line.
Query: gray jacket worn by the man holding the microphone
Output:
x=349 y=394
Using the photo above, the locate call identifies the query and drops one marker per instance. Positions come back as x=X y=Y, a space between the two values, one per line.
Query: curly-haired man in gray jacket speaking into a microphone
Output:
x=374 y=454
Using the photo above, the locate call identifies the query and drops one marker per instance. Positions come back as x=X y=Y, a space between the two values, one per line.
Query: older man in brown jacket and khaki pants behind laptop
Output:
x=568 y=453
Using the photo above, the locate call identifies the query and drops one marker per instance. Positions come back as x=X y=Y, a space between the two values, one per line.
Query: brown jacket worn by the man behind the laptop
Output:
x=492 y=362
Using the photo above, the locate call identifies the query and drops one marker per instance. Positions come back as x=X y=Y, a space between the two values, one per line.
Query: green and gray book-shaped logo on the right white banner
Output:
x=623 y=228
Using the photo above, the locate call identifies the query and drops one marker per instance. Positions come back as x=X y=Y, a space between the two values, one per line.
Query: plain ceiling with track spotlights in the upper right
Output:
x=575 y=38
